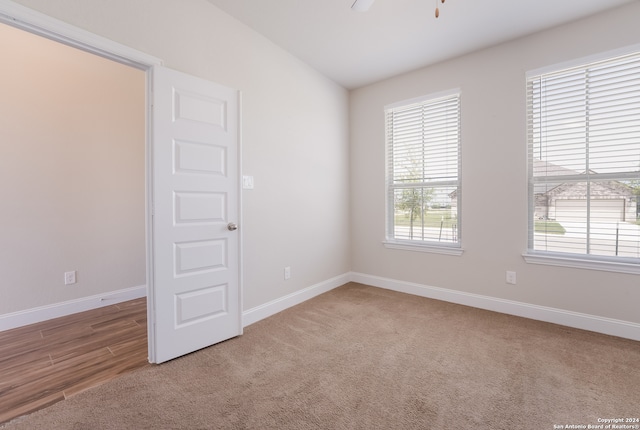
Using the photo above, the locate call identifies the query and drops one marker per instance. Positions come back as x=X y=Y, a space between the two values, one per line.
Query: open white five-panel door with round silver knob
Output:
x=195 y=291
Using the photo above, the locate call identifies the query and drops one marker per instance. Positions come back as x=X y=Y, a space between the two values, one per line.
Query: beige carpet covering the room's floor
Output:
x=360 y=357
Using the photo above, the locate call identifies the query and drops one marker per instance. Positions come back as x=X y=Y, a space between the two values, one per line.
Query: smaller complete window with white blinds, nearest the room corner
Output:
x=423 y=173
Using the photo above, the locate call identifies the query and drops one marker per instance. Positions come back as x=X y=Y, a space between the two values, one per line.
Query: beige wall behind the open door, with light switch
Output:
x=294 y=133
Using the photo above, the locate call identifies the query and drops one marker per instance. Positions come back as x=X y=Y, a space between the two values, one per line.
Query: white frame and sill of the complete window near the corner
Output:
x=391 y=242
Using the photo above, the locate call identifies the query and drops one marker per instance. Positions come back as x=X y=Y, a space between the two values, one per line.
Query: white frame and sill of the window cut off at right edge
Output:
x=617 y=264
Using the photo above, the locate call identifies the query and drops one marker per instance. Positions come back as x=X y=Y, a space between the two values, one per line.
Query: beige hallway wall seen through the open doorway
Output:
x=72 y=173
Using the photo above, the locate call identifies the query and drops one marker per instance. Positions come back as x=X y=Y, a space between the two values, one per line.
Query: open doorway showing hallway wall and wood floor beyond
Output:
x=72 y=136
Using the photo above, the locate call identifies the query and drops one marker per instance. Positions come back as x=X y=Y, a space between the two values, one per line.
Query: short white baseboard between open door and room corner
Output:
x=278 y=305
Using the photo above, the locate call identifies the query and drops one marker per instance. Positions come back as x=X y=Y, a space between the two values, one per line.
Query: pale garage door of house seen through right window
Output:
x=609 y=210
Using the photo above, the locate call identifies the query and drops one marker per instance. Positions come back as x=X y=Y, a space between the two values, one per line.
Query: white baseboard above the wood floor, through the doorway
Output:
x=43 y=313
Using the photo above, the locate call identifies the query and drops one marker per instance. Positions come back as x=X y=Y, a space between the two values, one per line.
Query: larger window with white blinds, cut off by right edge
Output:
x=584 y=161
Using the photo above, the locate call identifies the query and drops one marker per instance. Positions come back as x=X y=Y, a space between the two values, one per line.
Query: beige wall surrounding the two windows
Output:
x=494 y=199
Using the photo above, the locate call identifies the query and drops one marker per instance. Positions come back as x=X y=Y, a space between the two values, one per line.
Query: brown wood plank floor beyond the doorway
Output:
x=44 y=363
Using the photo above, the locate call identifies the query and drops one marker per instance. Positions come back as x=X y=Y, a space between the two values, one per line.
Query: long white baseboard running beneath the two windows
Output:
x=625 y=329
